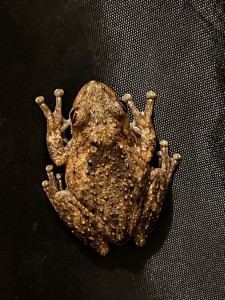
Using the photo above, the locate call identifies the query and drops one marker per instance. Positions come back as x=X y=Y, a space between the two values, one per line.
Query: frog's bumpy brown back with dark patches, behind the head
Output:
x=106 y=182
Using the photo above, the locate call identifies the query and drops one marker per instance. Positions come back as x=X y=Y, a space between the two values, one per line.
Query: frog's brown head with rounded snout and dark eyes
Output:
x=97 y=107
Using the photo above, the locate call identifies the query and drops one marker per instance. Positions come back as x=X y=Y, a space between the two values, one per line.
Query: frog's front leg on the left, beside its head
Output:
x=56 y=126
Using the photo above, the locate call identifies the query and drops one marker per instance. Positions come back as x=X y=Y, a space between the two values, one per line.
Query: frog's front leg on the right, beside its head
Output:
x=143 y=125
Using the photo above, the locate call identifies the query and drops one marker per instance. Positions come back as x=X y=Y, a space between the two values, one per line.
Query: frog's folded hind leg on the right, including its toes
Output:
x=159 y=180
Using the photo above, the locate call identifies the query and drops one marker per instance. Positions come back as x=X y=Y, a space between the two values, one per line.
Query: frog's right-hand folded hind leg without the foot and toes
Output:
x=152 y=206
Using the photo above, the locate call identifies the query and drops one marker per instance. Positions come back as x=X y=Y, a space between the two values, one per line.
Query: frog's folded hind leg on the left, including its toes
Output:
x=77 y=217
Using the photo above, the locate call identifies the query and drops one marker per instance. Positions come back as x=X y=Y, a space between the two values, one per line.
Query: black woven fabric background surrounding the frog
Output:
x=176 y=48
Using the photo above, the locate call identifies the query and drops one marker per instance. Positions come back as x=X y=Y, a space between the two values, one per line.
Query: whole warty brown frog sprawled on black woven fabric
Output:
x=110 y=192
